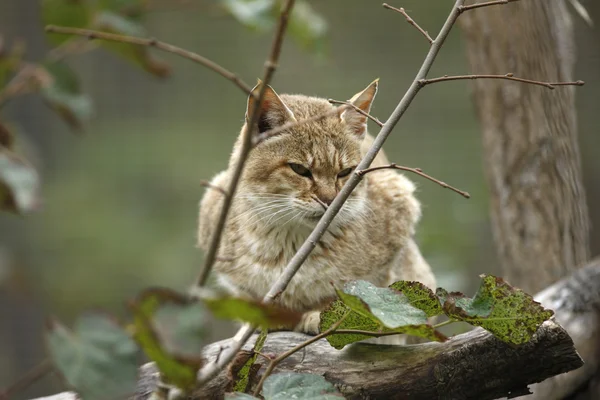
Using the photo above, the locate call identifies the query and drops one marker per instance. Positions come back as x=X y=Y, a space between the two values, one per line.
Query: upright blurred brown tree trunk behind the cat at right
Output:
x=539 y=215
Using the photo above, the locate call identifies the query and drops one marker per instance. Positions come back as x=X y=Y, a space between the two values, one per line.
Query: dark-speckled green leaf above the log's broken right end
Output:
x=508 y=313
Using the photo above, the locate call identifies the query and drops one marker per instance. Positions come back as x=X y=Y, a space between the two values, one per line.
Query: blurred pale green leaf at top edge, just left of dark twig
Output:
x=254 y=14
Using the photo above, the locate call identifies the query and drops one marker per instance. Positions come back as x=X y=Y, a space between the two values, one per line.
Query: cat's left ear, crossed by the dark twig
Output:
x=273 y=111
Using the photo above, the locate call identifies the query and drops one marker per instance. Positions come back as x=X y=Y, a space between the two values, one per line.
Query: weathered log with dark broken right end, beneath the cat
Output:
x=425 y=371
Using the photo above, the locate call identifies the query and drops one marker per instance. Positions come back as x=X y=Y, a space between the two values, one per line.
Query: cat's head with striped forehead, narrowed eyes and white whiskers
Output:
x=294 y=176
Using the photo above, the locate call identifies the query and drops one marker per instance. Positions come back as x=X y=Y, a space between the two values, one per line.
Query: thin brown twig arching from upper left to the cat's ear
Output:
x=150 y=42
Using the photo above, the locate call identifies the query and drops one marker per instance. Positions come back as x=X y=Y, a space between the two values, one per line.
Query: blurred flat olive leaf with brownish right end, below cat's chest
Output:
x=254 y=312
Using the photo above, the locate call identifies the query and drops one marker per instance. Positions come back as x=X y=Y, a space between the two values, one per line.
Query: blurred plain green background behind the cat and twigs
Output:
x=120 y=201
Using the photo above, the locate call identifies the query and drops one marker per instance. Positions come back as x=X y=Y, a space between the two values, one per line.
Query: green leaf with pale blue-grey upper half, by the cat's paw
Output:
x=373 y=309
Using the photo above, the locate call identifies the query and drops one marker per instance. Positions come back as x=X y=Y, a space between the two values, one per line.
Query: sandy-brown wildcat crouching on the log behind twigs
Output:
x=288 y=182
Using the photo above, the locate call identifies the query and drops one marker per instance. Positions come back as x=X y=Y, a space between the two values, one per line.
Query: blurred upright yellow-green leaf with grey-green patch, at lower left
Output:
x=172 y=331
